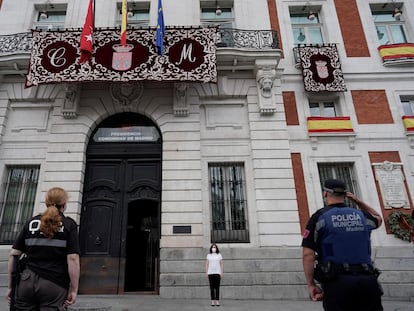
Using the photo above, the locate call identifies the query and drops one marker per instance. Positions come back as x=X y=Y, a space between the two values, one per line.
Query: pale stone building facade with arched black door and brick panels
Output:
x=158 y=170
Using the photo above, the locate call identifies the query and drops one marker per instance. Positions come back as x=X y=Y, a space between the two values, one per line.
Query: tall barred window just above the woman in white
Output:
x=228 y=203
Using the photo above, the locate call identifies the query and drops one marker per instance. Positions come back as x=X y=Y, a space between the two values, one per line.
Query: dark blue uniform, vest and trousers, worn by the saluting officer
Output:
x=340 y=236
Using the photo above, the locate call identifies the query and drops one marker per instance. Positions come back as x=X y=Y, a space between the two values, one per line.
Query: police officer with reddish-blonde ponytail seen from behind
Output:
x=50 y=243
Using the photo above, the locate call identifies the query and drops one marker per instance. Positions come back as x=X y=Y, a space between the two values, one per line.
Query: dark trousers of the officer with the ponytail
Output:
x=38 y=294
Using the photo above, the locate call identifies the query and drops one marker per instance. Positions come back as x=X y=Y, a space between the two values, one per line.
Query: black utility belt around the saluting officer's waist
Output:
x=328 y=271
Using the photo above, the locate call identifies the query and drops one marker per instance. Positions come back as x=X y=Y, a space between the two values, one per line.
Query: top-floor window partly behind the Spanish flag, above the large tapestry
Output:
x=138 y=14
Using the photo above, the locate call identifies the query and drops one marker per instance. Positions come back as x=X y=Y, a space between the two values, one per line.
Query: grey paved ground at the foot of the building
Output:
x=155 y=303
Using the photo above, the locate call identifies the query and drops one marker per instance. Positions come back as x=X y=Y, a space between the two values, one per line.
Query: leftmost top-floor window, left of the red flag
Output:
x=50 y=17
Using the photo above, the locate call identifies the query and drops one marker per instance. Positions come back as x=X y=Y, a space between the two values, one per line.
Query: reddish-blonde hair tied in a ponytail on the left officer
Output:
x=51 y=219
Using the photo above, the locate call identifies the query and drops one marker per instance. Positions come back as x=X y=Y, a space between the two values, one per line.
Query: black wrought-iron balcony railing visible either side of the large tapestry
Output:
x=227 y=37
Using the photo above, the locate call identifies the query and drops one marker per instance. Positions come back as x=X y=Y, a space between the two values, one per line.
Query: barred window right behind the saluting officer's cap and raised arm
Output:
x=343 y=171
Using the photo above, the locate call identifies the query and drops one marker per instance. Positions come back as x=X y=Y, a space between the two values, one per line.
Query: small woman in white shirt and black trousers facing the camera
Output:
x=214 y=271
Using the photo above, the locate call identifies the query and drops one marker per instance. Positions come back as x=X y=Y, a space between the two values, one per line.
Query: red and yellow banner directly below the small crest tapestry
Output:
x=333 y=124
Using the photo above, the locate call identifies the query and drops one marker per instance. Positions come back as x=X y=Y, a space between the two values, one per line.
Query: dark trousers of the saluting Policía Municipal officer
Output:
x=352 y=292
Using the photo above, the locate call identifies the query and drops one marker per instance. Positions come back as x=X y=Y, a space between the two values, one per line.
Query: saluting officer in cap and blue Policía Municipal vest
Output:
x=338 y=238
